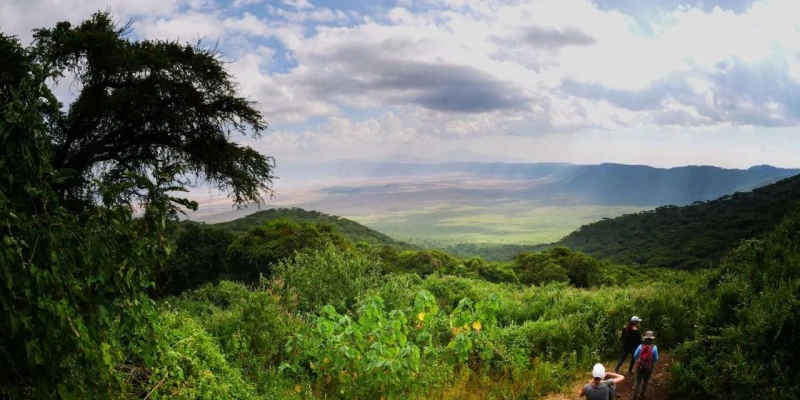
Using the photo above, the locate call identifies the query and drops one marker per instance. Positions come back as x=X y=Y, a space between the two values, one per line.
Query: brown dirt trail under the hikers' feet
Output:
x=657 y=388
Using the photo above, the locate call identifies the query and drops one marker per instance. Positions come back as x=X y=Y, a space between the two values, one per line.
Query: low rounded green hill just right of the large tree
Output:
x=347 y=228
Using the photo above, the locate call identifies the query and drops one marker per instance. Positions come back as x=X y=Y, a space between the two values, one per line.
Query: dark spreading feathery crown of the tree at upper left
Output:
x=159 y=109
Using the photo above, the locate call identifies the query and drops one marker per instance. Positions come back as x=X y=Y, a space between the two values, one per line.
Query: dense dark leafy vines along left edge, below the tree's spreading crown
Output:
x=69 y=280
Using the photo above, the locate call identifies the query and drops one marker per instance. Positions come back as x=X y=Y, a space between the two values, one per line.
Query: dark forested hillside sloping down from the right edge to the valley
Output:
x=694 y=236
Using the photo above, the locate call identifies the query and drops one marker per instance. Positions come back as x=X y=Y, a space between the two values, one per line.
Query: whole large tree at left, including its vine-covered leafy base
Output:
x=75 y=264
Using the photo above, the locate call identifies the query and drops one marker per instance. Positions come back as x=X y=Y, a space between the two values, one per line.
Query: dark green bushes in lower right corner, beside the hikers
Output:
x=749 y=343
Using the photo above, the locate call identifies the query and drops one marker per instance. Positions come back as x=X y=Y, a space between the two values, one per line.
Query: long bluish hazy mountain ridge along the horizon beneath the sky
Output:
x=549 y=183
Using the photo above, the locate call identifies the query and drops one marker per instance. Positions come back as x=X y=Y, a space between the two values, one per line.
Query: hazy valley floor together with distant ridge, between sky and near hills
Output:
x=450 y=203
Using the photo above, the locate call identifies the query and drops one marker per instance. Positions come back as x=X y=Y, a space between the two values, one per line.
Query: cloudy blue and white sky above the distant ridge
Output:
x=657 y=82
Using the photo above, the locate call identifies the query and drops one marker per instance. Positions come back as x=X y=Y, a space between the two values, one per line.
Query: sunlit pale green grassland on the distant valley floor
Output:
x=494 y=224
